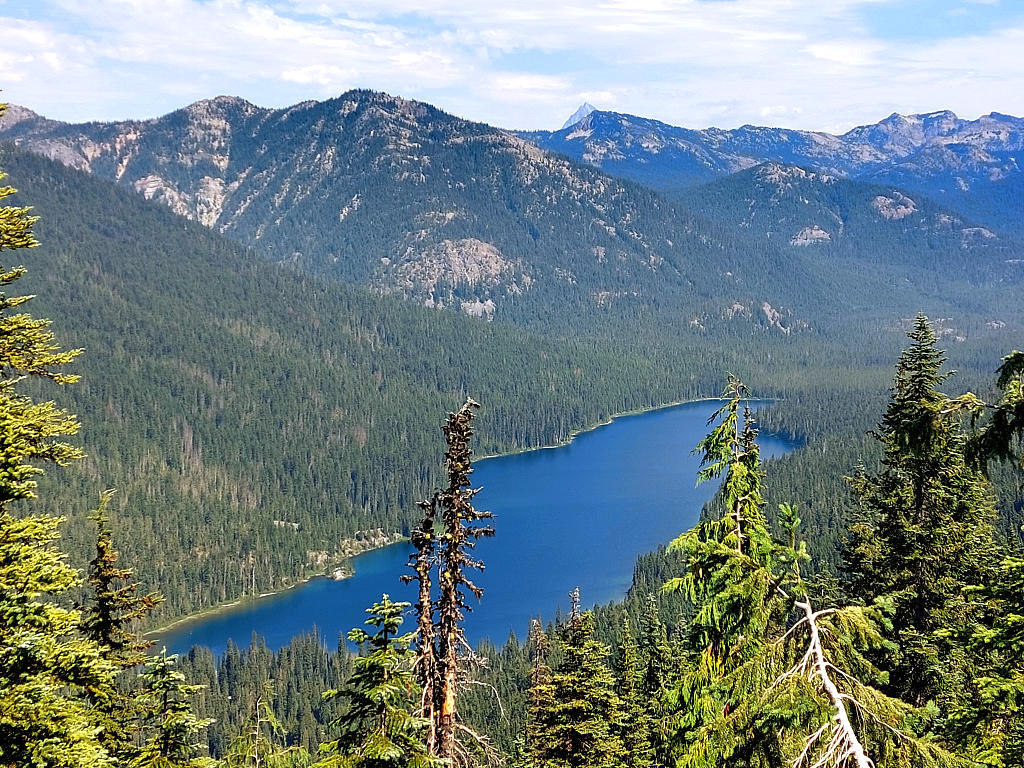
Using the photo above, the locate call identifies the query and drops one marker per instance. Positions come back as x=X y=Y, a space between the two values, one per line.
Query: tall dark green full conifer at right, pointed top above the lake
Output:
x=924 y=531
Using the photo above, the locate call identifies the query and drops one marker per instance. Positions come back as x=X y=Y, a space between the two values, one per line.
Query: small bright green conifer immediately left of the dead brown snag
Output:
x=378 y=729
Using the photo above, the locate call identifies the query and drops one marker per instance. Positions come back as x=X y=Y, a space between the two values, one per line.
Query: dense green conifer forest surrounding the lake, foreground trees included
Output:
x=884 y=631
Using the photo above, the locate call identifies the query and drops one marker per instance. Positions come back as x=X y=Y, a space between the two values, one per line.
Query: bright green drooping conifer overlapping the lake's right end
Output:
x=733 y=580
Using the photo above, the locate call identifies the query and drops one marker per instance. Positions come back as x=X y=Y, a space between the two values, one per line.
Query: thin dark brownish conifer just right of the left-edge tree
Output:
x=110 y=622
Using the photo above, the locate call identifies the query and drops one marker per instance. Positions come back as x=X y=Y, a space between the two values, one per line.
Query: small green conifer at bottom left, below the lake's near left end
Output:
x=169 y=726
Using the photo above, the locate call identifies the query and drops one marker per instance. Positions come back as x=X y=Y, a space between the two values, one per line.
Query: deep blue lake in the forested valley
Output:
x=576 y=516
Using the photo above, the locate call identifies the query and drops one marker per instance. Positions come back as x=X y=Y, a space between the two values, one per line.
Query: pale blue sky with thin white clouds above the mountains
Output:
x=821 y=65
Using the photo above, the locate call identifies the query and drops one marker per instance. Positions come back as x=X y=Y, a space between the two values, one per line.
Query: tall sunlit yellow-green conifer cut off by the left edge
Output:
x=46 y=667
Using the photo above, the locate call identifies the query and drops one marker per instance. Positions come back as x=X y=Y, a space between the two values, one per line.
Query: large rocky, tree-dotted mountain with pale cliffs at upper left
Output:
x=395 y=194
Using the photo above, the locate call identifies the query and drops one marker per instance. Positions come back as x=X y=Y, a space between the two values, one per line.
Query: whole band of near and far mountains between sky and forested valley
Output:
x=401 y=197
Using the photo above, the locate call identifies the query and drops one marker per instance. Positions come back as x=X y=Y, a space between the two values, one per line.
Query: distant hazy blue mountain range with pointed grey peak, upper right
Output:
x=968 y=164
